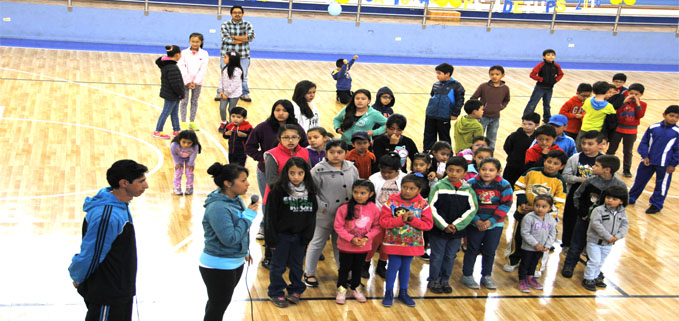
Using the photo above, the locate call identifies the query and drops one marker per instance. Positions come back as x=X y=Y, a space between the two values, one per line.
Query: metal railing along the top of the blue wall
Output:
x=424 y=15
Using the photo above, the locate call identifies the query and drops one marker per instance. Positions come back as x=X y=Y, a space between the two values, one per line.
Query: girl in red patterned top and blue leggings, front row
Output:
x=404 y=217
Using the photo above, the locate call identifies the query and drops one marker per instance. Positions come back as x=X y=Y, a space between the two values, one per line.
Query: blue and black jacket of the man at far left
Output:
x=106 y=267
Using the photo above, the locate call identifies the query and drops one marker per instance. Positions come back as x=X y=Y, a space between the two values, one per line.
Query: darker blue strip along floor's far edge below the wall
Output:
x=92 y=46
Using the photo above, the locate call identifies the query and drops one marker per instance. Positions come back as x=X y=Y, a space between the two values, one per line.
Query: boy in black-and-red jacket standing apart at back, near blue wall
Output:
x=547 y=74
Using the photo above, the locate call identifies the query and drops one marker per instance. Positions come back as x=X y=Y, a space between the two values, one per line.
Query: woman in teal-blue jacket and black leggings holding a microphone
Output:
x=226 y=224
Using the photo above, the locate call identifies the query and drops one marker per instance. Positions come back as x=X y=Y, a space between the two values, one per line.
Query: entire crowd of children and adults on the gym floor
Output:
x=372 y=190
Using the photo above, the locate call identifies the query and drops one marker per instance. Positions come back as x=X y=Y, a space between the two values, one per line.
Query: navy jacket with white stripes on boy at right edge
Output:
x=660 y=144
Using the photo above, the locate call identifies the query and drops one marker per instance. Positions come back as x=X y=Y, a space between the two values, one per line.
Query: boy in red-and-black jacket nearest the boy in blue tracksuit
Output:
x=629 y=116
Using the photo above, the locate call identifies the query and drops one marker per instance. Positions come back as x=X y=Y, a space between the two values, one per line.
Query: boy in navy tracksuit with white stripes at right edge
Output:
x=659 y=149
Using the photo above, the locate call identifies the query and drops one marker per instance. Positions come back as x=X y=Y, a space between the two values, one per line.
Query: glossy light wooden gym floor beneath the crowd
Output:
x=65 y=116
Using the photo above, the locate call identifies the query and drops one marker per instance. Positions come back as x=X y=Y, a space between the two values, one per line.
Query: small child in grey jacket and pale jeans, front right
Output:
x=608 y=223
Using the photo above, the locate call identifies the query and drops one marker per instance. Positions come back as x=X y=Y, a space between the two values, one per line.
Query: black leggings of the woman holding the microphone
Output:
x=220 y=285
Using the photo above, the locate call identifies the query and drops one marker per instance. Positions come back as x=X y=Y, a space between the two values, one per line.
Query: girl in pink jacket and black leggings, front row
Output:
x=356 y=223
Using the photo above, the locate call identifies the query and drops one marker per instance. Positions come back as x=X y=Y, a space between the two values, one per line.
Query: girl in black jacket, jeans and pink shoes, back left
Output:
x=171 y=89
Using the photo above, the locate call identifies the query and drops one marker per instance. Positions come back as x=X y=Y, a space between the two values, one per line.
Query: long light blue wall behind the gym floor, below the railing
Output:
x=47 y=22
